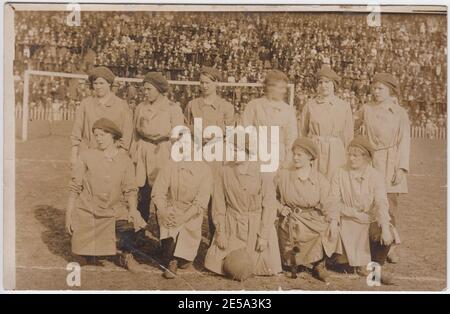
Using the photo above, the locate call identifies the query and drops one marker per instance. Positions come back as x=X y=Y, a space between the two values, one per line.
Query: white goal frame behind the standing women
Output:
x=29 y=73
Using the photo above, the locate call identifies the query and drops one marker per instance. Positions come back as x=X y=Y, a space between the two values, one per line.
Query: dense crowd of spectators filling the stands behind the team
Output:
x=243 y=46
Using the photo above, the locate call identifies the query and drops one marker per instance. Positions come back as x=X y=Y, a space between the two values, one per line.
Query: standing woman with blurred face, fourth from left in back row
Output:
x=272 y=110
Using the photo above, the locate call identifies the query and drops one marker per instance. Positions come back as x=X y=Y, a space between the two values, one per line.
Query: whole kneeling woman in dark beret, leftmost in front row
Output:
x=101 y=214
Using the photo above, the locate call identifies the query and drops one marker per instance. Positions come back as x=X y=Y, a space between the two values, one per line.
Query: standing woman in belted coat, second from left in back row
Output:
x=154 y=120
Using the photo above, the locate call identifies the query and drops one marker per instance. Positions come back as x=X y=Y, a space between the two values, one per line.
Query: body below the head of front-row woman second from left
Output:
x=181 y=194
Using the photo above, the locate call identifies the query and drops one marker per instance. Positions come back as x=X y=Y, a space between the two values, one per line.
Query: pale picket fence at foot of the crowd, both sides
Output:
x=69 y=114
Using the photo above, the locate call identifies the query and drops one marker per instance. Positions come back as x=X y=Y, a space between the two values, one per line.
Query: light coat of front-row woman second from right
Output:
x=308 y=228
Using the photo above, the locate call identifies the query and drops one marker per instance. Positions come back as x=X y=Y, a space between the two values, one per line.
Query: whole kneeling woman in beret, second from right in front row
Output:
x=308 y=226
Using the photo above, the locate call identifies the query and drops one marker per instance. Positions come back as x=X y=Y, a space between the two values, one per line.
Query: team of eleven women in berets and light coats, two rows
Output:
x=332 y=200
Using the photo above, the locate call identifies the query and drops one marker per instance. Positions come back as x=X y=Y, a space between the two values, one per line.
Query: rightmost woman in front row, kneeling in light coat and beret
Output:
x=358 y=192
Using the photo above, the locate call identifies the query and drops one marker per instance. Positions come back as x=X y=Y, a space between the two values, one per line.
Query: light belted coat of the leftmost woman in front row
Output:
x=103 y=186
